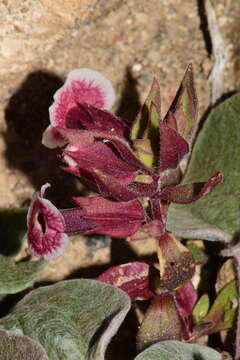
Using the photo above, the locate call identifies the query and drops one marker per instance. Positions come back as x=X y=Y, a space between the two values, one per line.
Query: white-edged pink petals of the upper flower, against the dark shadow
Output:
x=82 y=86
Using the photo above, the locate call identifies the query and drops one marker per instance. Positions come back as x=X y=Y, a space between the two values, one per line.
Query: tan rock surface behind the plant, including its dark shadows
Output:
x=129 y=42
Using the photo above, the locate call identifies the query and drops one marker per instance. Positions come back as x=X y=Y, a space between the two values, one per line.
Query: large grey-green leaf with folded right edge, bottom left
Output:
x=73 y=320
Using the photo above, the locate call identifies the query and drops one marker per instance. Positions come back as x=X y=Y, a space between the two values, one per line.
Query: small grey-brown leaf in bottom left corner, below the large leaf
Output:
x=20 y=347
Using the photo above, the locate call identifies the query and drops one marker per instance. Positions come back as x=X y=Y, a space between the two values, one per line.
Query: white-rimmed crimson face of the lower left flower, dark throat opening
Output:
x=46 y=228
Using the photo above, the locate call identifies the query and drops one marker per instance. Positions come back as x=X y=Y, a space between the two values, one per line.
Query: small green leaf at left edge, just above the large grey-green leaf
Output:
x=18 y=276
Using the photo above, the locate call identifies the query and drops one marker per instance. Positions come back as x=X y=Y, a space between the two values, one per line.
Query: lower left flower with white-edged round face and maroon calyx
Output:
x=48 y=227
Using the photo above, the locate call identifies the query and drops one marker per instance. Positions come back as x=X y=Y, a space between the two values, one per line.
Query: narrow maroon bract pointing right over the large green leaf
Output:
x=187 y=194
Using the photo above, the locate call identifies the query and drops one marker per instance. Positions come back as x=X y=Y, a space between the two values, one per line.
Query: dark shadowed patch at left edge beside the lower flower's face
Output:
x=13 y=226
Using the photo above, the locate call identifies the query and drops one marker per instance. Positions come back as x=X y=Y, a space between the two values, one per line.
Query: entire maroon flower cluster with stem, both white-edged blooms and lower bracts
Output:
x=137 y=172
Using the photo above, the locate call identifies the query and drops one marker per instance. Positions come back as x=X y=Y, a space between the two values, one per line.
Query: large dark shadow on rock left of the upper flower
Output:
x=26 y=118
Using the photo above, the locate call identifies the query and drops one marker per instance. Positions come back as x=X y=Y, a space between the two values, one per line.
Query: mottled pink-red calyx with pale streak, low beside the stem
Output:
x=134 y=278
